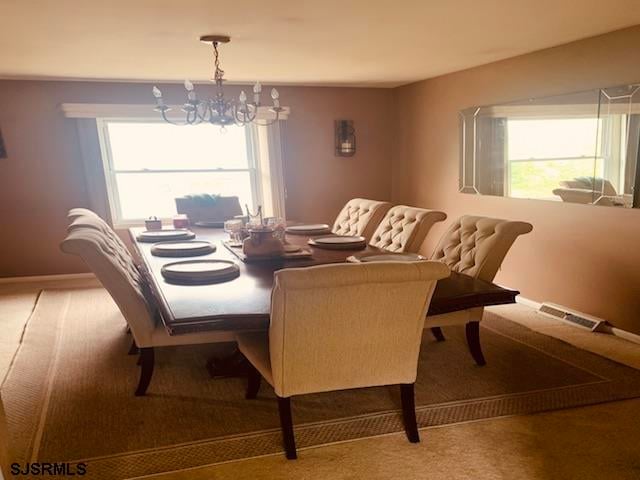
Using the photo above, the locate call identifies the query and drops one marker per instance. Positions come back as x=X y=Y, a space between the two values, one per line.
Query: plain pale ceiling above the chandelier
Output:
x=322 y=42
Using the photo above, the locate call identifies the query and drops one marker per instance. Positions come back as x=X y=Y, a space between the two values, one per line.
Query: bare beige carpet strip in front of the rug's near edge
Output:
x=591 y=443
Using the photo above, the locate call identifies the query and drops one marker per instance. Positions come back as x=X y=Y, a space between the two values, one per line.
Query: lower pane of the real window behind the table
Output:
x=145 y=194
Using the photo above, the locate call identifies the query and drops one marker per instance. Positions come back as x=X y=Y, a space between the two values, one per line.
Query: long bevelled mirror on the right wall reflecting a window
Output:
x=579 y=148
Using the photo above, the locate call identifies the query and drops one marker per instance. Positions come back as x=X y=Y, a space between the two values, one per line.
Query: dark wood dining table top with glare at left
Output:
x=244 y=302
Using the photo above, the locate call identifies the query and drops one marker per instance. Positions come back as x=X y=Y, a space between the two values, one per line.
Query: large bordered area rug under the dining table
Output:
x=69 y=394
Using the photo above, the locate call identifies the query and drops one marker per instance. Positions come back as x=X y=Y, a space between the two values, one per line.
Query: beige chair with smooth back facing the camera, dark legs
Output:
x=336 y=327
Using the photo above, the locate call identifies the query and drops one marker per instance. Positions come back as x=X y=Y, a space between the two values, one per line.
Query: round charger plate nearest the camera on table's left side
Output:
x=190 y=272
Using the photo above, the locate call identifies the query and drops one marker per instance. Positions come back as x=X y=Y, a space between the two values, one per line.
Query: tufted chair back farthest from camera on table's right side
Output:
x=360 y=217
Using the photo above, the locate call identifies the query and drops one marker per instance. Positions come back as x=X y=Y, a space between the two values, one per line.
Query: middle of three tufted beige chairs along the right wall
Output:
x=403 y=229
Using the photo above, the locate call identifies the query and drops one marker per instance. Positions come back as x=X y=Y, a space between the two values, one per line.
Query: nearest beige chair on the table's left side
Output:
x=110 y=261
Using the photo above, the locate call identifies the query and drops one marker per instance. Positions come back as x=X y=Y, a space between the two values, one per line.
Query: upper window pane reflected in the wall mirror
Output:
x=552 y=138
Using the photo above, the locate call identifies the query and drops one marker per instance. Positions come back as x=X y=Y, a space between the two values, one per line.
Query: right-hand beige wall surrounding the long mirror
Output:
x=581 y=256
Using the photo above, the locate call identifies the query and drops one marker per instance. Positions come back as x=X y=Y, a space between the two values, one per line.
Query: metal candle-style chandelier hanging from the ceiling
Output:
x=220 y=110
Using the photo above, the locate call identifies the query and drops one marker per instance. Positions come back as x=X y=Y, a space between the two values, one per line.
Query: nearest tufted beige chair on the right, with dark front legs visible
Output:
x=475 y=246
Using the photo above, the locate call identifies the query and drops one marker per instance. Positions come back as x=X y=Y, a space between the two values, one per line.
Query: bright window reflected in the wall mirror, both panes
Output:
x=543 y=152
